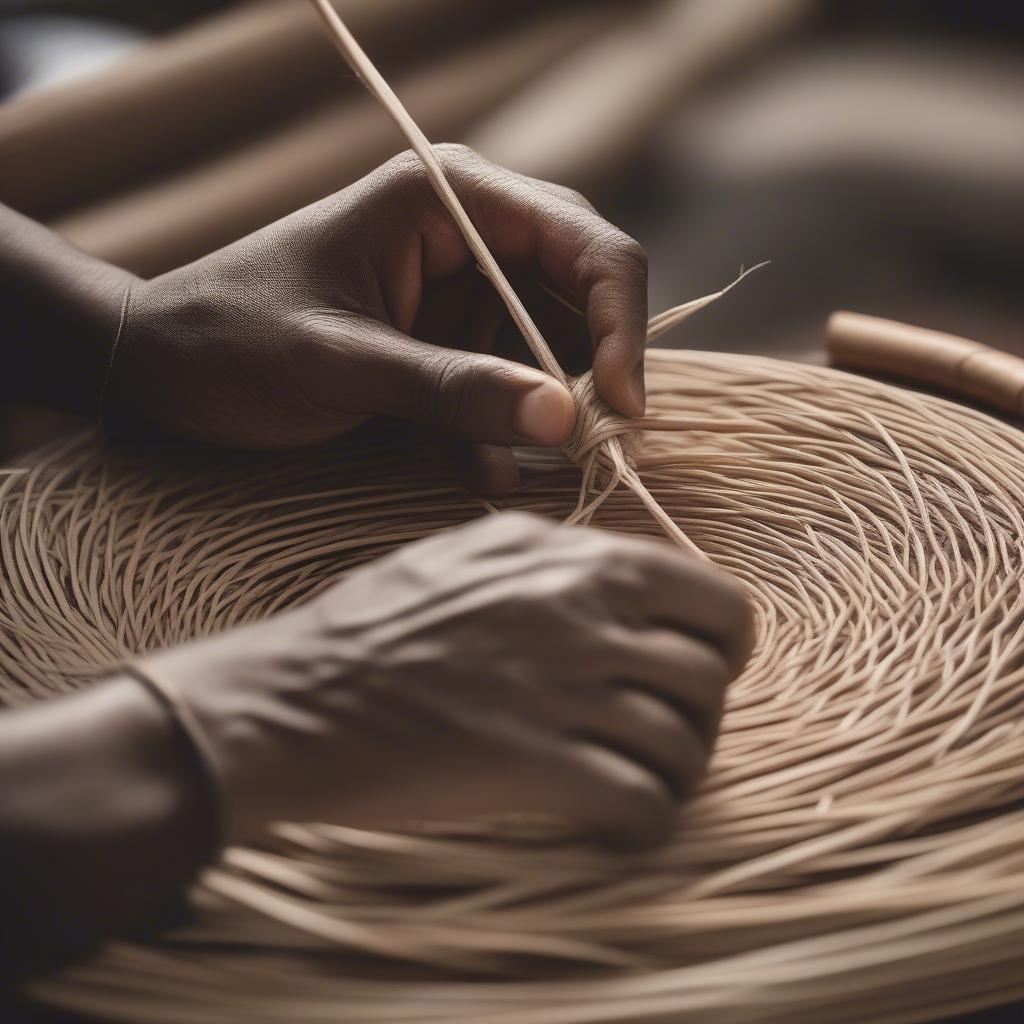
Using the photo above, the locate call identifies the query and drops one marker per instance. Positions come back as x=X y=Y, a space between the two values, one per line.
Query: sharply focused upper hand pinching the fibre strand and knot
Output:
x=370 y=303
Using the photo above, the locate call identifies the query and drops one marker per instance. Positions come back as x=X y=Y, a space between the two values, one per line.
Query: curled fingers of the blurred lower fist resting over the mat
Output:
x=647 y=746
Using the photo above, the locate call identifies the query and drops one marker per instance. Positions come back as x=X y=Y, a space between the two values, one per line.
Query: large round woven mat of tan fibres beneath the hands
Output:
x=856 y=854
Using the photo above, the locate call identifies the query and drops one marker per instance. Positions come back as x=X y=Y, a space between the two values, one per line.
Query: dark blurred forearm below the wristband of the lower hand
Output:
x=98 y=787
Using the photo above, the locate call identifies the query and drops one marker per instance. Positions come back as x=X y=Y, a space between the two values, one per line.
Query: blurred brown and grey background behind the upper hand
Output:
x=874 y=152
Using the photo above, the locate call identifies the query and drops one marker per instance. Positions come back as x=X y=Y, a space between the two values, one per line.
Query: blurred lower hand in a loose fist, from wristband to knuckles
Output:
x=509 y=666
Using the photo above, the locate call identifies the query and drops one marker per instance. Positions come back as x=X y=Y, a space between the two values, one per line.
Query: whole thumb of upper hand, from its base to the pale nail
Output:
x=362 y=365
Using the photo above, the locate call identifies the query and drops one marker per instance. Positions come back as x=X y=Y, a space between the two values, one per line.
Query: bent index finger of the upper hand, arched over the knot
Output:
x=542 y=228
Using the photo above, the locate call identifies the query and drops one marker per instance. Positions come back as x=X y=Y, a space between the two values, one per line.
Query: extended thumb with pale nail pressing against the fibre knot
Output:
x=467 y=396
